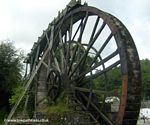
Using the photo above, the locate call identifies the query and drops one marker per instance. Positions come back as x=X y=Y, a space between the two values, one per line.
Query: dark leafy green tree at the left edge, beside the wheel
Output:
x=10 y=72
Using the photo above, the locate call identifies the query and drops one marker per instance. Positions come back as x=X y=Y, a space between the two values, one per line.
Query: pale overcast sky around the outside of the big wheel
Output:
x=23 y=21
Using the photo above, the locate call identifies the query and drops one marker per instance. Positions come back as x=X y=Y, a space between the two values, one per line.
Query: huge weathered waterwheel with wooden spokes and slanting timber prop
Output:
x=81 y=50
